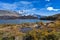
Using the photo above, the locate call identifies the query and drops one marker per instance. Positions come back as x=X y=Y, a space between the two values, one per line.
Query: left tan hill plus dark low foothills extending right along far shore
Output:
x=4 y=14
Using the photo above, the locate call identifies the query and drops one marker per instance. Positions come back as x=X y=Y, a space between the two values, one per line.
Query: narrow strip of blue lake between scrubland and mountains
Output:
x=19 y=21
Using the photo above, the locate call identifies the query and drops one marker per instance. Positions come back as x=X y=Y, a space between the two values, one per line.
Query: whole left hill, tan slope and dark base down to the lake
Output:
x=4 y=14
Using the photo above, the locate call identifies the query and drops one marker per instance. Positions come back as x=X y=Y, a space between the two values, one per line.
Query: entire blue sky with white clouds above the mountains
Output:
x=41 y=7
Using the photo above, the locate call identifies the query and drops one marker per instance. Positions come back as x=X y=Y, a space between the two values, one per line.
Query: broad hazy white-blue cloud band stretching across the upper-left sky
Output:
x=16 y=5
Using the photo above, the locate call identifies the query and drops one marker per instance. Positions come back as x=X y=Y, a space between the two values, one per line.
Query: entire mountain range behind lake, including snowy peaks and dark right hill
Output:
x=4 y=14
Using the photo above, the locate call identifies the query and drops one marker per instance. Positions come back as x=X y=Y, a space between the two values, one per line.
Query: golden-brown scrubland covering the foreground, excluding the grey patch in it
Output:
x=41 y=31
